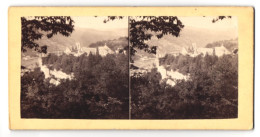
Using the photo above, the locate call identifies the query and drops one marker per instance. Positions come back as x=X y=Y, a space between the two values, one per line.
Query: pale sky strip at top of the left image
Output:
x=97 y=23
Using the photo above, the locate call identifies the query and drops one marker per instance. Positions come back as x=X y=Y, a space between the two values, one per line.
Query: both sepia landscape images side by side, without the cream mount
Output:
x=180 y=67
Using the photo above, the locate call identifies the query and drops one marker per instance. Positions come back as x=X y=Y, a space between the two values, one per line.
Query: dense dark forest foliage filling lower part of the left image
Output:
x=99 y=89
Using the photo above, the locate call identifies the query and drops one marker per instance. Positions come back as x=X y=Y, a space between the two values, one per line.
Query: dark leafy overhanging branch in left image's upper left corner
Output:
x=34 y=28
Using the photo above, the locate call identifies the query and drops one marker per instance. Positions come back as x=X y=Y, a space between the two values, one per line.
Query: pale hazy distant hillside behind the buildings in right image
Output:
x=189 y=35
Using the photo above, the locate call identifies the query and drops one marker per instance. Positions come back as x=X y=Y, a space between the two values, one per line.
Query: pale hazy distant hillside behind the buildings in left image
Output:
x=83 y=35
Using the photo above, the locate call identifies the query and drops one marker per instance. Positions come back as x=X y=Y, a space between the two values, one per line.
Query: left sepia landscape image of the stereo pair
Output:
x=74 y=67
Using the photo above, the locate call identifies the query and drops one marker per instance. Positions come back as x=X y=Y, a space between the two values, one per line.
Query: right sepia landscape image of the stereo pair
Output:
x=184 y=67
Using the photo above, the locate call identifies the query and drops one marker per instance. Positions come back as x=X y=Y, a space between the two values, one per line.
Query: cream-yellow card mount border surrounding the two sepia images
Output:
x=244 y=121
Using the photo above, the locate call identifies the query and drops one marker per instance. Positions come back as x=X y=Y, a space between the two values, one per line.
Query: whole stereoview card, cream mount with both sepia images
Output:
x=131 y=67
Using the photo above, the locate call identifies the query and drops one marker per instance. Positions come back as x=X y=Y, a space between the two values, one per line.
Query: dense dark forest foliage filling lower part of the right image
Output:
x=210 y=92
